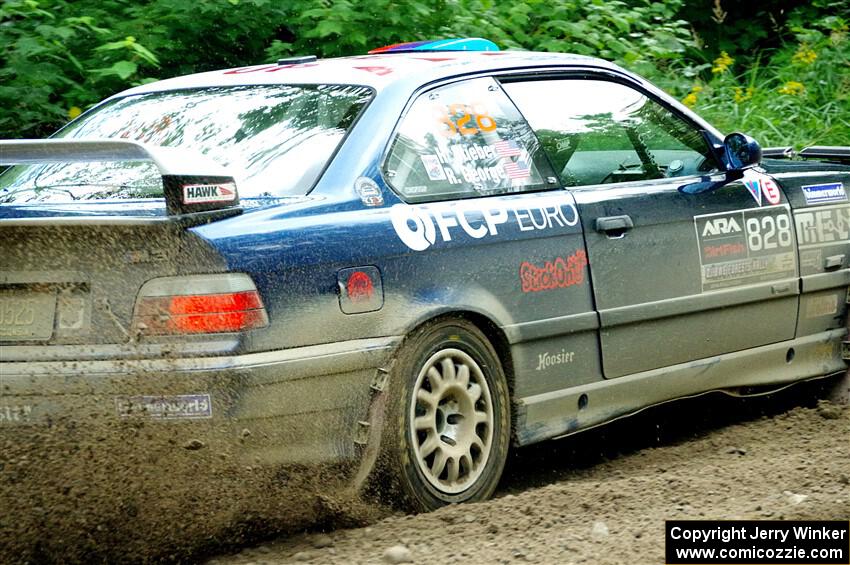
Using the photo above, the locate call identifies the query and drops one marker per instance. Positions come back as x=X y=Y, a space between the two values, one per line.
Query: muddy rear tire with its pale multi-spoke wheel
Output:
x=447 y=429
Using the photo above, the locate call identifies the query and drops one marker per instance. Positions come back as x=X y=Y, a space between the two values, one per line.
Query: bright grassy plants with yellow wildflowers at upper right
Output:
x=800 y=97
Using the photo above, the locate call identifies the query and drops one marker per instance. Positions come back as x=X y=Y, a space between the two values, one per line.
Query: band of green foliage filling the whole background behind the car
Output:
x=59 y=57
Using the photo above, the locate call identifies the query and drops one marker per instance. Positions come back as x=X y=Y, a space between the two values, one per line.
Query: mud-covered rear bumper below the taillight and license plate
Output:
x=296 y=406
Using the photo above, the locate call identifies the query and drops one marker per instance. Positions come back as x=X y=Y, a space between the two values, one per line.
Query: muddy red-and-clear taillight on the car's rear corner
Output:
x=198 y=304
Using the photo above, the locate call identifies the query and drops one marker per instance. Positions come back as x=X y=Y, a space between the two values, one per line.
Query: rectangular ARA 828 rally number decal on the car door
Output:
x=745 y=247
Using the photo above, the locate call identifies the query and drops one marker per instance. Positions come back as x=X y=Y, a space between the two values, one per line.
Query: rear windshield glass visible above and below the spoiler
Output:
x=274 y=140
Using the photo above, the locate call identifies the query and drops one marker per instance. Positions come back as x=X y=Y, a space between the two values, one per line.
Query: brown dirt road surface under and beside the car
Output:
x=602 y=496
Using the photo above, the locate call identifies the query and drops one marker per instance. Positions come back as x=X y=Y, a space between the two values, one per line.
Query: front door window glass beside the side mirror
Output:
x=597 y=132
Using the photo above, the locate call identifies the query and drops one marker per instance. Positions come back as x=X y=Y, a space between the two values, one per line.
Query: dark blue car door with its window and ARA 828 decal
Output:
x=676 y=276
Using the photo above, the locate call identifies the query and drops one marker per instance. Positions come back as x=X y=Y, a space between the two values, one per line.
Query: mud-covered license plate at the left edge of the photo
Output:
x=26 y=315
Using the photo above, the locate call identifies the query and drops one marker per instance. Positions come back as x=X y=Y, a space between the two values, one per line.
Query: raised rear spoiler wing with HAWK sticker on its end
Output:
x=192 y=182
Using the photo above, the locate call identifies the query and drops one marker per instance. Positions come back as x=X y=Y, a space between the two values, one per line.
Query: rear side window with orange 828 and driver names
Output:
x=465 y=140
